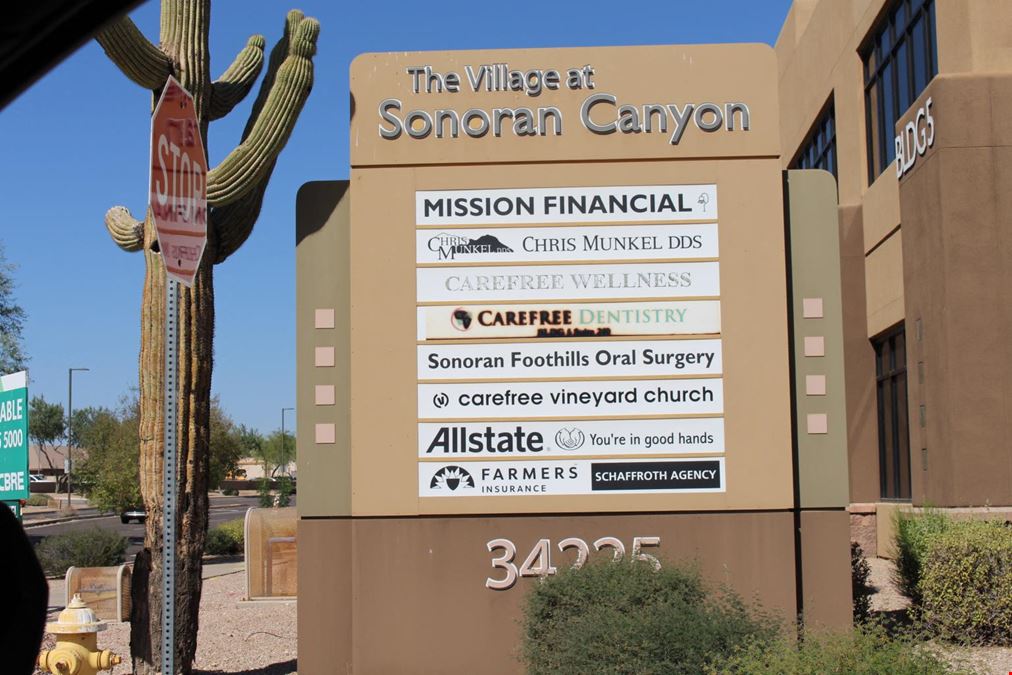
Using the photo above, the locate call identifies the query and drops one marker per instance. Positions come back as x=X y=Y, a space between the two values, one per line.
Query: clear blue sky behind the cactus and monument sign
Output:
x=76 y=143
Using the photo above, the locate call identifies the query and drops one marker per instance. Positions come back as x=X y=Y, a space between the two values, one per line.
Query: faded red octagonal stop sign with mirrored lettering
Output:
x=179 y=183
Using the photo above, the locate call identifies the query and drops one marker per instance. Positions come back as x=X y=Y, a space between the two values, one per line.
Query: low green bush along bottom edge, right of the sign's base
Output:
x=864 y=651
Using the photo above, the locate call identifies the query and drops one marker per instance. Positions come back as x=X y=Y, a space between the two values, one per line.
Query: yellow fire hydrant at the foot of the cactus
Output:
x=76 y=652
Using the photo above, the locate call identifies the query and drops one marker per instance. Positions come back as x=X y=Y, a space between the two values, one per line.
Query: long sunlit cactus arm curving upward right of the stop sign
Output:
x=249 y=164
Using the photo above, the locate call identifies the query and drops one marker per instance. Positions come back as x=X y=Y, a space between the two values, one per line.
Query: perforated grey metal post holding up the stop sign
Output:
x=170 y=486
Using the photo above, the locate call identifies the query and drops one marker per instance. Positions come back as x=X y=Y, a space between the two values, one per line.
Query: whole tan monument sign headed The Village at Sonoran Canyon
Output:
x=556 y=293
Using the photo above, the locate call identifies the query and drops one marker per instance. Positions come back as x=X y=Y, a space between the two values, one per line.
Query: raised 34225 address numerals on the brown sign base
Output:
x=539 y=561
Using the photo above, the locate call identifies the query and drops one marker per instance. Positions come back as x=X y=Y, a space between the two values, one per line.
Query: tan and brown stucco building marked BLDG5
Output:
x=925 y=256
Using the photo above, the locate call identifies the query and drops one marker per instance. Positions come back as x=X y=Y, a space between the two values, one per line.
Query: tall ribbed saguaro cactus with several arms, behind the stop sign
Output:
x=235 y=193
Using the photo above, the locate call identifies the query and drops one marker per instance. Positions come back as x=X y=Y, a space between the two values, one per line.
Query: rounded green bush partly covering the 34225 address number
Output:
x=622 y=618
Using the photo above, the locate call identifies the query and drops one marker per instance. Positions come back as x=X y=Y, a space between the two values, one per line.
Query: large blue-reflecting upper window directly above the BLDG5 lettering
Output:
x=900 y=59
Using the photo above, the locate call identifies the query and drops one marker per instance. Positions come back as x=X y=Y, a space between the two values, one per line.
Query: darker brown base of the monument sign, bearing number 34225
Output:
x=409 y=596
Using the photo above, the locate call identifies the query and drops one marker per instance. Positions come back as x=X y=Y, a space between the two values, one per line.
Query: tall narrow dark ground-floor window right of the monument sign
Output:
x=894 y=431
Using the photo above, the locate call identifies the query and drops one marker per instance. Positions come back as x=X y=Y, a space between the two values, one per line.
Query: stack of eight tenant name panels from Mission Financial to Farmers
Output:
x=611 y=411
